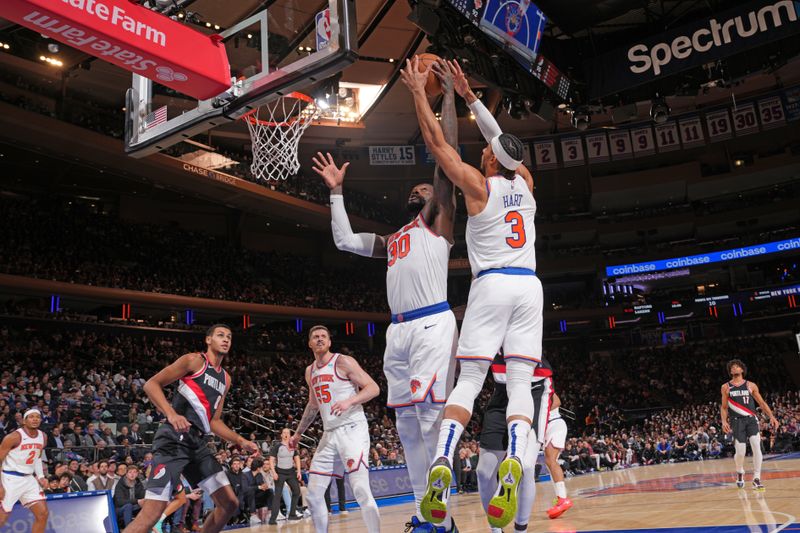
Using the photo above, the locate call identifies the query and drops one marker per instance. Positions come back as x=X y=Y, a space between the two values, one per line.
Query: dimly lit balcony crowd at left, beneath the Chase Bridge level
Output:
x=91 y=247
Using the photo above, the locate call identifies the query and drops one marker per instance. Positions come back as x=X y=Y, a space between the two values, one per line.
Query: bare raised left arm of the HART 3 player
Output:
x=465 y=177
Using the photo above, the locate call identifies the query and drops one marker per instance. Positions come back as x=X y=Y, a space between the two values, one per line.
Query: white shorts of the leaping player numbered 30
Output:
x=418 y=361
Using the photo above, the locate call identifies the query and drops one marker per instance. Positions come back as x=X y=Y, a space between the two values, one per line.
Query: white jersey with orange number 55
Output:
x=330 y=388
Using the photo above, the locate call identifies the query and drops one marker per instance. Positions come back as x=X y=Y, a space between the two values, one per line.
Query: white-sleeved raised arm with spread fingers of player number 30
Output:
x=365 y=244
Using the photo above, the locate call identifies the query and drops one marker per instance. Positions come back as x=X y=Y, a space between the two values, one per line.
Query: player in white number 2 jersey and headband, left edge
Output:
x=23 y=474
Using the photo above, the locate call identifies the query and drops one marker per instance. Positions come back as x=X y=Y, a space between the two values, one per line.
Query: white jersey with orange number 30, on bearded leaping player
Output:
x=416 y=268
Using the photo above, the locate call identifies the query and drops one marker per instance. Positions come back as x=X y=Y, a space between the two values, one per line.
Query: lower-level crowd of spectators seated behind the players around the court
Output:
x=632 y=407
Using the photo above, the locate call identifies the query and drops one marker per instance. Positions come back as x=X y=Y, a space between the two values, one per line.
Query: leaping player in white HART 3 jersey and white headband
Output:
x=505 y=301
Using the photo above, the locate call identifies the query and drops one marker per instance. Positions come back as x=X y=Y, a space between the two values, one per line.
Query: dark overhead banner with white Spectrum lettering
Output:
x=709 y=39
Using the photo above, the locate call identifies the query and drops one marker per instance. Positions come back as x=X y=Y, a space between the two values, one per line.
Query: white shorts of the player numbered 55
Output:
x=342 y=450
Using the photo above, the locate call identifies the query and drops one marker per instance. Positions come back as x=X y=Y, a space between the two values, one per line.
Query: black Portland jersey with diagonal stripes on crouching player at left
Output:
x=199 y=395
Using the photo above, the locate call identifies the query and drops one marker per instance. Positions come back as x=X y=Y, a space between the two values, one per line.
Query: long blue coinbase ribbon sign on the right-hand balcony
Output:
x=705 y=259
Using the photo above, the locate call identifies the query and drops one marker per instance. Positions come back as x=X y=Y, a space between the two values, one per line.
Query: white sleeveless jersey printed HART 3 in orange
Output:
x=503 y=234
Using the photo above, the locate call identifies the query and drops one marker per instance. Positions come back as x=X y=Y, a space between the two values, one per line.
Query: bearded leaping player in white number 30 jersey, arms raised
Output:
x=421 y=341
